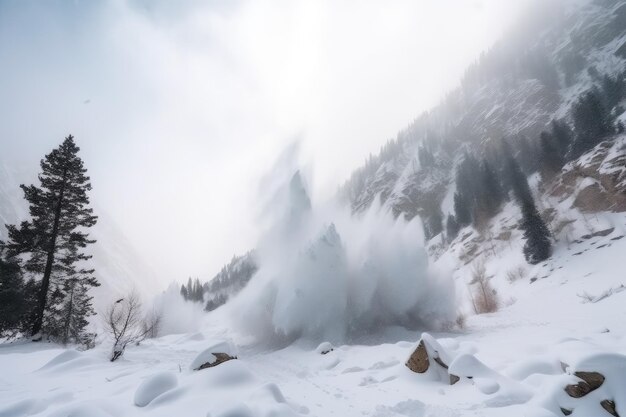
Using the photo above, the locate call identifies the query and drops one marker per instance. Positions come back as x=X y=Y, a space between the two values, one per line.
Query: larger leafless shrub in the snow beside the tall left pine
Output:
x=126 y=325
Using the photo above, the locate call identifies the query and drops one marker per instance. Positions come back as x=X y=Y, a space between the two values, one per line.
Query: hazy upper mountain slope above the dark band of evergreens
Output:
x=514 y=91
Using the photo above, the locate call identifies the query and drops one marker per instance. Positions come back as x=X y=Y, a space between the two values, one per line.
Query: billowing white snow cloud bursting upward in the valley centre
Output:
x=328 y=275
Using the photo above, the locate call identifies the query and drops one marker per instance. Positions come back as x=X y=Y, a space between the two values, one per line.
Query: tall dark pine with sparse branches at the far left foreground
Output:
x=54 y=238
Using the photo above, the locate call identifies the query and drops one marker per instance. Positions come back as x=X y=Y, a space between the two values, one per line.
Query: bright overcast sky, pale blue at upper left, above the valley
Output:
x=181 y=106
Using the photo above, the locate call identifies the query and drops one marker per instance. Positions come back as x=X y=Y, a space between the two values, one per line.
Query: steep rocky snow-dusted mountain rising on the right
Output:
x=535 y=75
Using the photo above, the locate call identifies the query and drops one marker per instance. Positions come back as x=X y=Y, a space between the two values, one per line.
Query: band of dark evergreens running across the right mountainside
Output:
x=484 y=185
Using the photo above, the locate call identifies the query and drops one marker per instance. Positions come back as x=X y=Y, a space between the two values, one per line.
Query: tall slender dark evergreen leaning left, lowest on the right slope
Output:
x=538 y=246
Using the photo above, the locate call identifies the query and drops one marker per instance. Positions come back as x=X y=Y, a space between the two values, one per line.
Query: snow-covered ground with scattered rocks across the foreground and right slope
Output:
x=574 y=311
